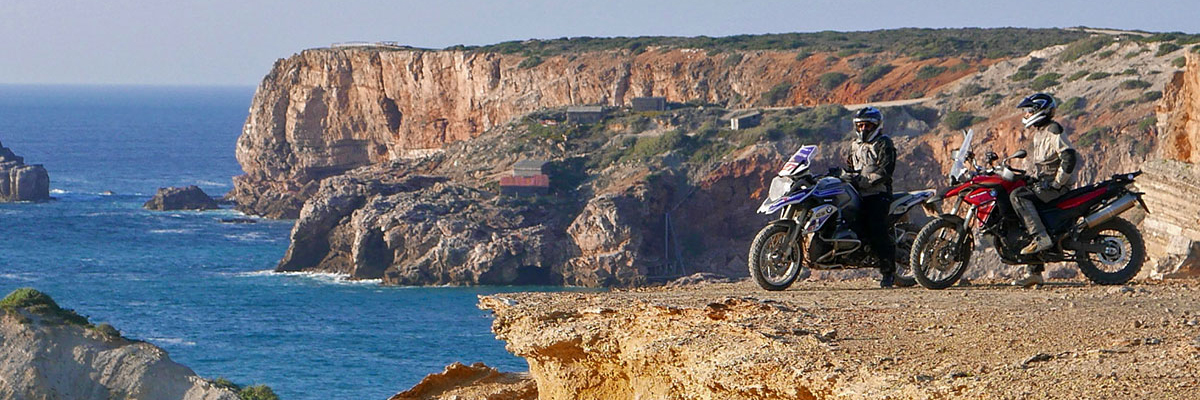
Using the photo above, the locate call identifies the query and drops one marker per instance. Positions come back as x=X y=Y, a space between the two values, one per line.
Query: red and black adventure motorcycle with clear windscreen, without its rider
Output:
x=1083 y=223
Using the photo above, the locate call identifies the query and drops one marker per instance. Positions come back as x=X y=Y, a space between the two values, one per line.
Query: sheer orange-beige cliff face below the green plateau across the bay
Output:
x=325 y=112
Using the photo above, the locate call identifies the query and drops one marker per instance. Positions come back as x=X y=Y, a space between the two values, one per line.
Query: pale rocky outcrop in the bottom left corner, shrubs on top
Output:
x=47 y=353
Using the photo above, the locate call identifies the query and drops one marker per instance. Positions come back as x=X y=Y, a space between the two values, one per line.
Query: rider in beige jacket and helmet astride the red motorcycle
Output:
x=1054 y=163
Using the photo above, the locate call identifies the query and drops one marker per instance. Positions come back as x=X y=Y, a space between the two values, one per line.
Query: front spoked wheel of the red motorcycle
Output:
x=935 y=262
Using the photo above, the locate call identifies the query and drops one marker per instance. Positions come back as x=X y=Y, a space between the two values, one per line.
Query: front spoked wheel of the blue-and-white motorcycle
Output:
x=770 y=264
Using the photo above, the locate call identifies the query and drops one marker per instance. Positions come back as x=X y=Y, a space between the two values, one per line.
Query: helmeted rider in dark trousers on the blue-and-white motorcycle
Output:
x=874 y=157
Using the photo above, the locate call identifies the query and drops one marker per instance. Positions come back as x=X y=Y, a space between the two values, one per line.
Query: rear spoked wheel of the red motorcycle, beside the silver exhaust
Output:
x=1123 y=253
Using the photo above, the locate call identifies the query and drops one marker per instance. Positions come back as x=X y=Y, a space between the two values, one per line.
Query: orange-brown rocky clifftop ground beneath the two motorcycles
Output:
x=851 y=341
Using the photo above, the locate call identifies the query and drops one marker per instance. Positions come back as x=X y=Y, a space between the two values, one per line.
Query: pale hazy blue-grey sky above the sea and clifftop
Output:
x=236 y=43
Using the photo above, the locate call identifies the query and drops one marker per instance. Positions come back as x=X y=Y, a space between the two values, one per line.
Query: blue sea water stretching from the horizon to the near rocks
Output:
x=197 y=288
